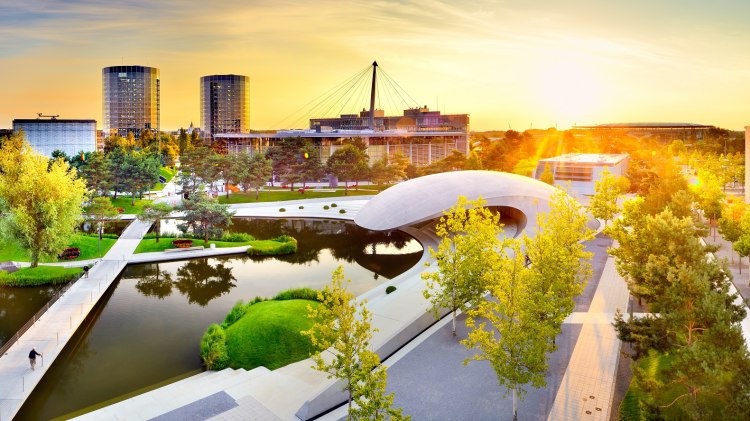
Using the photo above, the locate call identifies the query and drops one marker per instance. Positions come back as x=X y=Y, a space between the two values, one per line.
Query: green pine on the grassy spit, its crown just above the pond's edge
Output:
x=205 y=216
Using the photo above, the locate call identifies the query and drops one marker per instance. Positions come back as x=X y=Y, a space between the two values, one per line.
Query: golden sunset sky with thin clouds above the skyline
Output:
x=507 y=63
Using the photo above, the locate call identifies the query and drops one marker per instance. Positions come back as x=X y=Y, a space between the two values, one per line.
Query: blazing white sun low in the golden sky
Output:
x=567 y=90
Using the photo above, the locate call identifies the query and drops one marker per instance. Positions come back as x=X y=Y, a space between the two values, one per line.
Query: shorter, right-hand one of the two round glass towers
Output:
x=225 y=104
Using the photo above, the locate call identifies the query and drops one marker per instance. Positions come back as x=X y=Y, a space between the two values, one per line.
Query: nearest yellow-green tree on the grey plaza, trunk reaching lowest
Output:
x=510 y=336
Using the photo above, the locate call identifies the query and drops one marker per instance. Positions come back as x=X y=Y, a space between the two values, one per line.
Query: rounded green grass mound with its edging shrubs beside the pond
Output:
x=262 y=333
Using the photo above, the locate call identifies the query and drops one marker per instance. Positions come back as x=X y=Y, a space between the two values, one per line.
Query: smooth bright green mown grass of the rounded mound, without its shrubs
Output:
x=269 y=335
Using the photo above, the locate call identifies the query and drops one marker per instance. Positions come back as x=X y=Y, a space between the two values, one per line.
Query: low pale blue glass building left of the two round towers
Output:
x=69 y=136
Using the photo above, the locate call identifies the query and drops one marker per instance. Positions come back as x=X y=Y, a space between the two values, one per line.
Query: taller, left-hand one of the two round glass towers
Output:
x=130 y=99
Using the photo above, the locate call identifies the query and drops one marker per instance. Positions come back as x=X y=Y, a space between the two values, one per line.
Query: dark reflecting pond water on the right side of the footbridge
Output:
x=147 y=328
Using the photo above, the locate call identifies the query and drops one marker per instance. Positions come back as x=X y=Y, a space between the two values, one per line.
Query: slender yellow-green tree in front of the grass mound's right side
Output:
x=343 y=325
